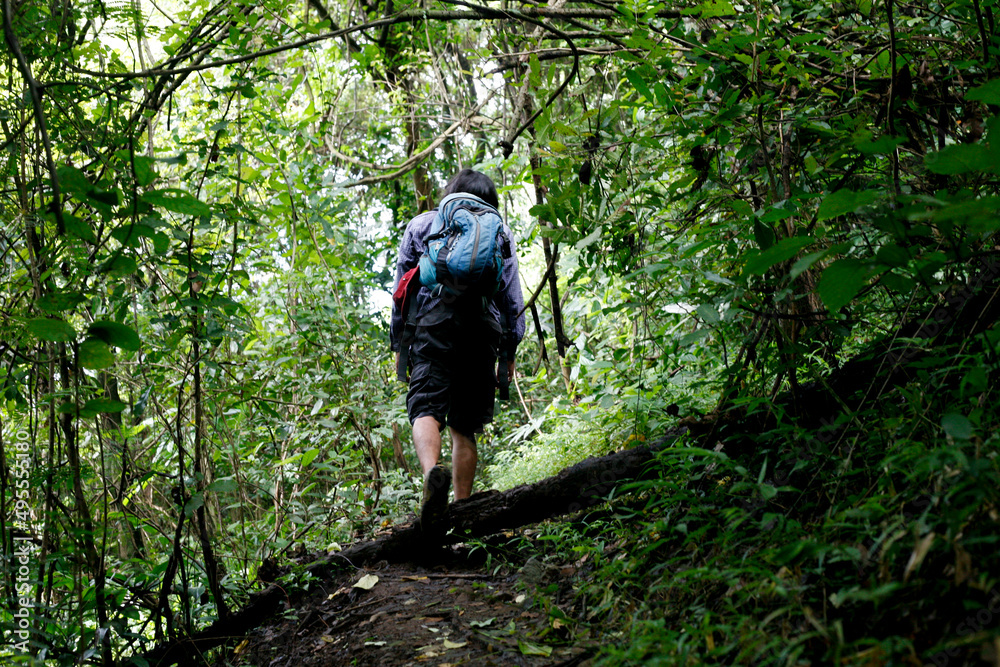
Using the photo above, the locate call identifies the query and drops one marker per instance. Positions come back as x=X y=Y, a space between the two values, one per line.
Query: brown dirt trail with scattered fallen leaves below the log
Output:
x=453 y=609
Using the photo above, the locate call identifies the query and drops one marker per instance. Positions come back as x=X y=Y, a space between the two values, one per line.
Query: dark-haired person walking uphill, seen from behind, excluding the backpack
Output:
x=453 y=348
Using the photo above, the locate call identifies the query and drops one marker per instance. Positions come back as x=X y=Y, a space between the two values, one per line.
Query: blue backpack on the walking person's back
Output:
x=465 y=248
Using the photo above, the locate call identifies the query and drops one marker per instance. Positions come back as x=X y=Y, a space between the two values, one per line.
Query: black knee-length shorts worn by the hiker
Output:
x=453 y=374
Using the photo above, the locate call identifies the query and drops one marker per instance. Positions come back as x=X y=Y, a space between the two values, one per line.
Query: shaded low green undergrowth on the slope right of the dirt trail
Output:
x=871 y=541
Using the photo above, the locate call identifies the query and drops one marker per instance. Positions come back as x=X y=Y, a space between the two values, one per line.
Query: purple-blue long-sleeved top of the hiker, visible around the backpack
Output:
x=508 y=298
